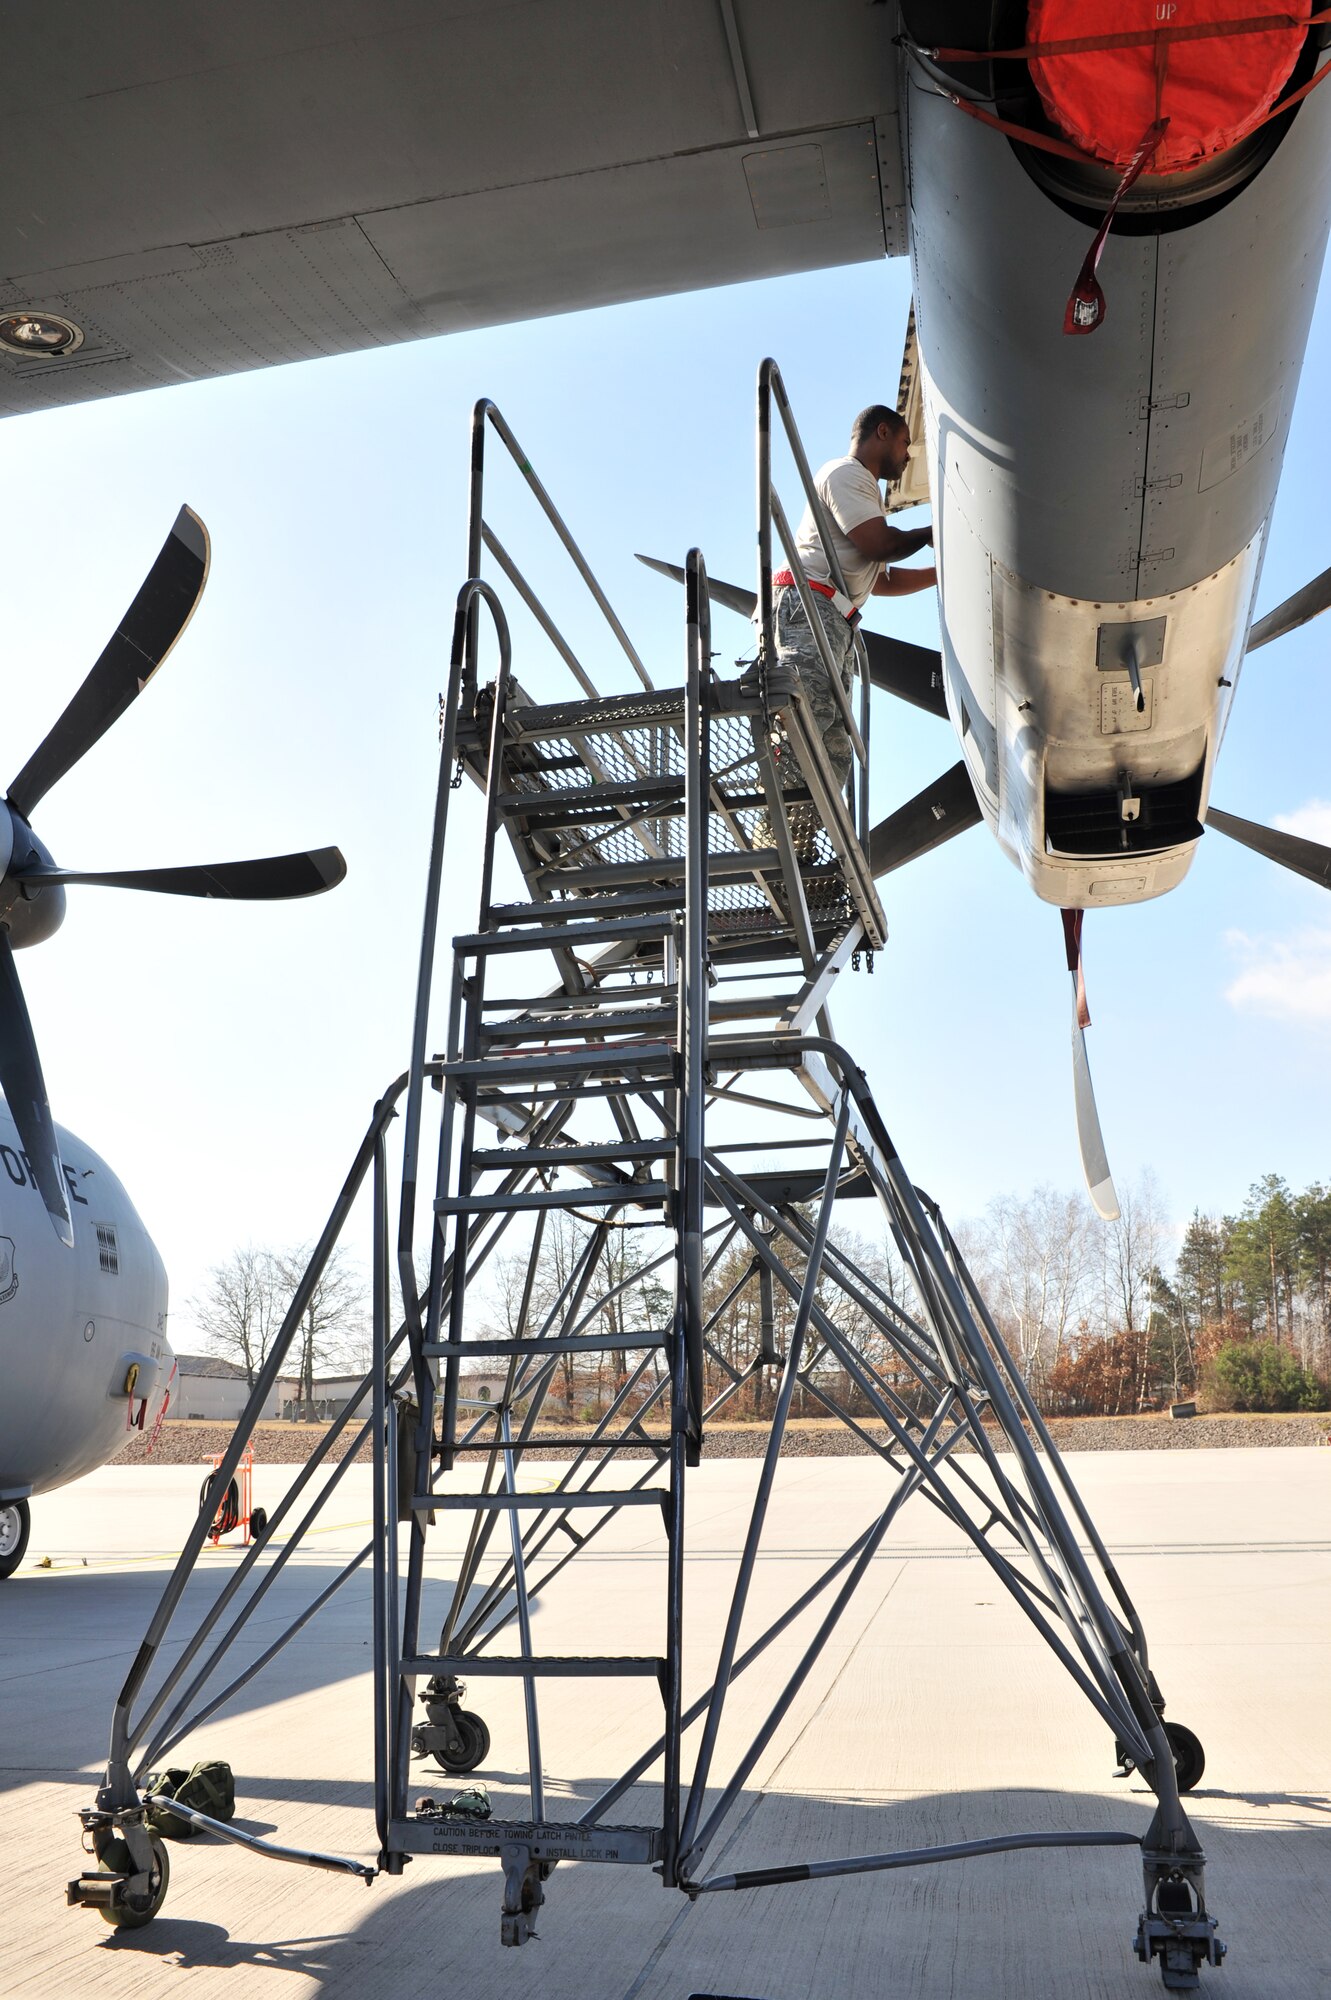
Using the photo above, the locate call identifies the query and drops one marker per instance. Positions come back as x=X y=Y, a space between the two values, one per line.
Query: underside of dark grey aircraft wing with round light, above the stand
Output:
x=203 y=189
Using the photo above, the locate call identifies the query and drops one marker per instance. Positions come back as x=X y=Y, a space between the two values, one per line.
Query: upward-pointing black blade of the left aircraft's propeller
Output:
x=143 y=639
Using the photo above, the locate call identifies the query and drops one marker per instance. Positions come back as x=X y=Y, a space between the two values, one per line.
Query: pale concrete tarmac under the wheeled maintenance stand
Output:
x=934 y=1715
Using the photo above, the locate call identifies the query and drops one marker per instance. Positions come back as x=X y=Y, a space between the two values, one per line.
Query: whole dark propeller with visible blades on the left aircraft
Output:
x=33 y=885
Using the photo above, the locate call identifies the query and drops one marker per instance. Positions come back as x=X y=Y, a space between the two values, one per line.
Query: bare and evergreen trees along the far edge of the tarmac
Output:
x=1102 y=1319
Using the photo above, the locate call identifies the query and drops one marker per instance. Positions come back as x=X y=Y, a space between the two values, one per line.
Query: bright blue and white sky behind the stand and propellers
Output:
x=227 y=1059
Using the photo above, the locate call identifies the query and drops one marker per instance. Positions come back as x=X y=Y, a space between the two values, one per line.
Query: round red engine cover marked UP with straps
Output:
x=1214 y=91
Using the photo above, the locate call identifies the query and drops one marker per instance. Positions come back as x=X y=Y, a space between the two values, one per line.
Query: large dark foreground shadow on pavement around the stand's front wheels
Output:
x=996 y=1929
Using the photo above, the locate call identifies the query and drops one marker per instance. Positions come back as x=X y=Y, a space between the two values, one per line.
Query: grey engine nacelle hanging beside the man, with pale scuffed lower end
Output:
x=1102 y=505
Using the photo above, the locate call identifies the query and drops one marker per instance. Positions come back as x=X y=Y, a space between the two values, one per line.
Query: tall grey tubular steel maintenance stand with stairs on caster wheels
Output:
x=696 y=949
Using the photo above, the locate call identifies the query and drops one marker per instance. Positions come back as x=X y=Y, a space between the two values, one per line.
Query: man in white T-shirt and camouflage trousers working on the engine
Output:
x=864 y=545
